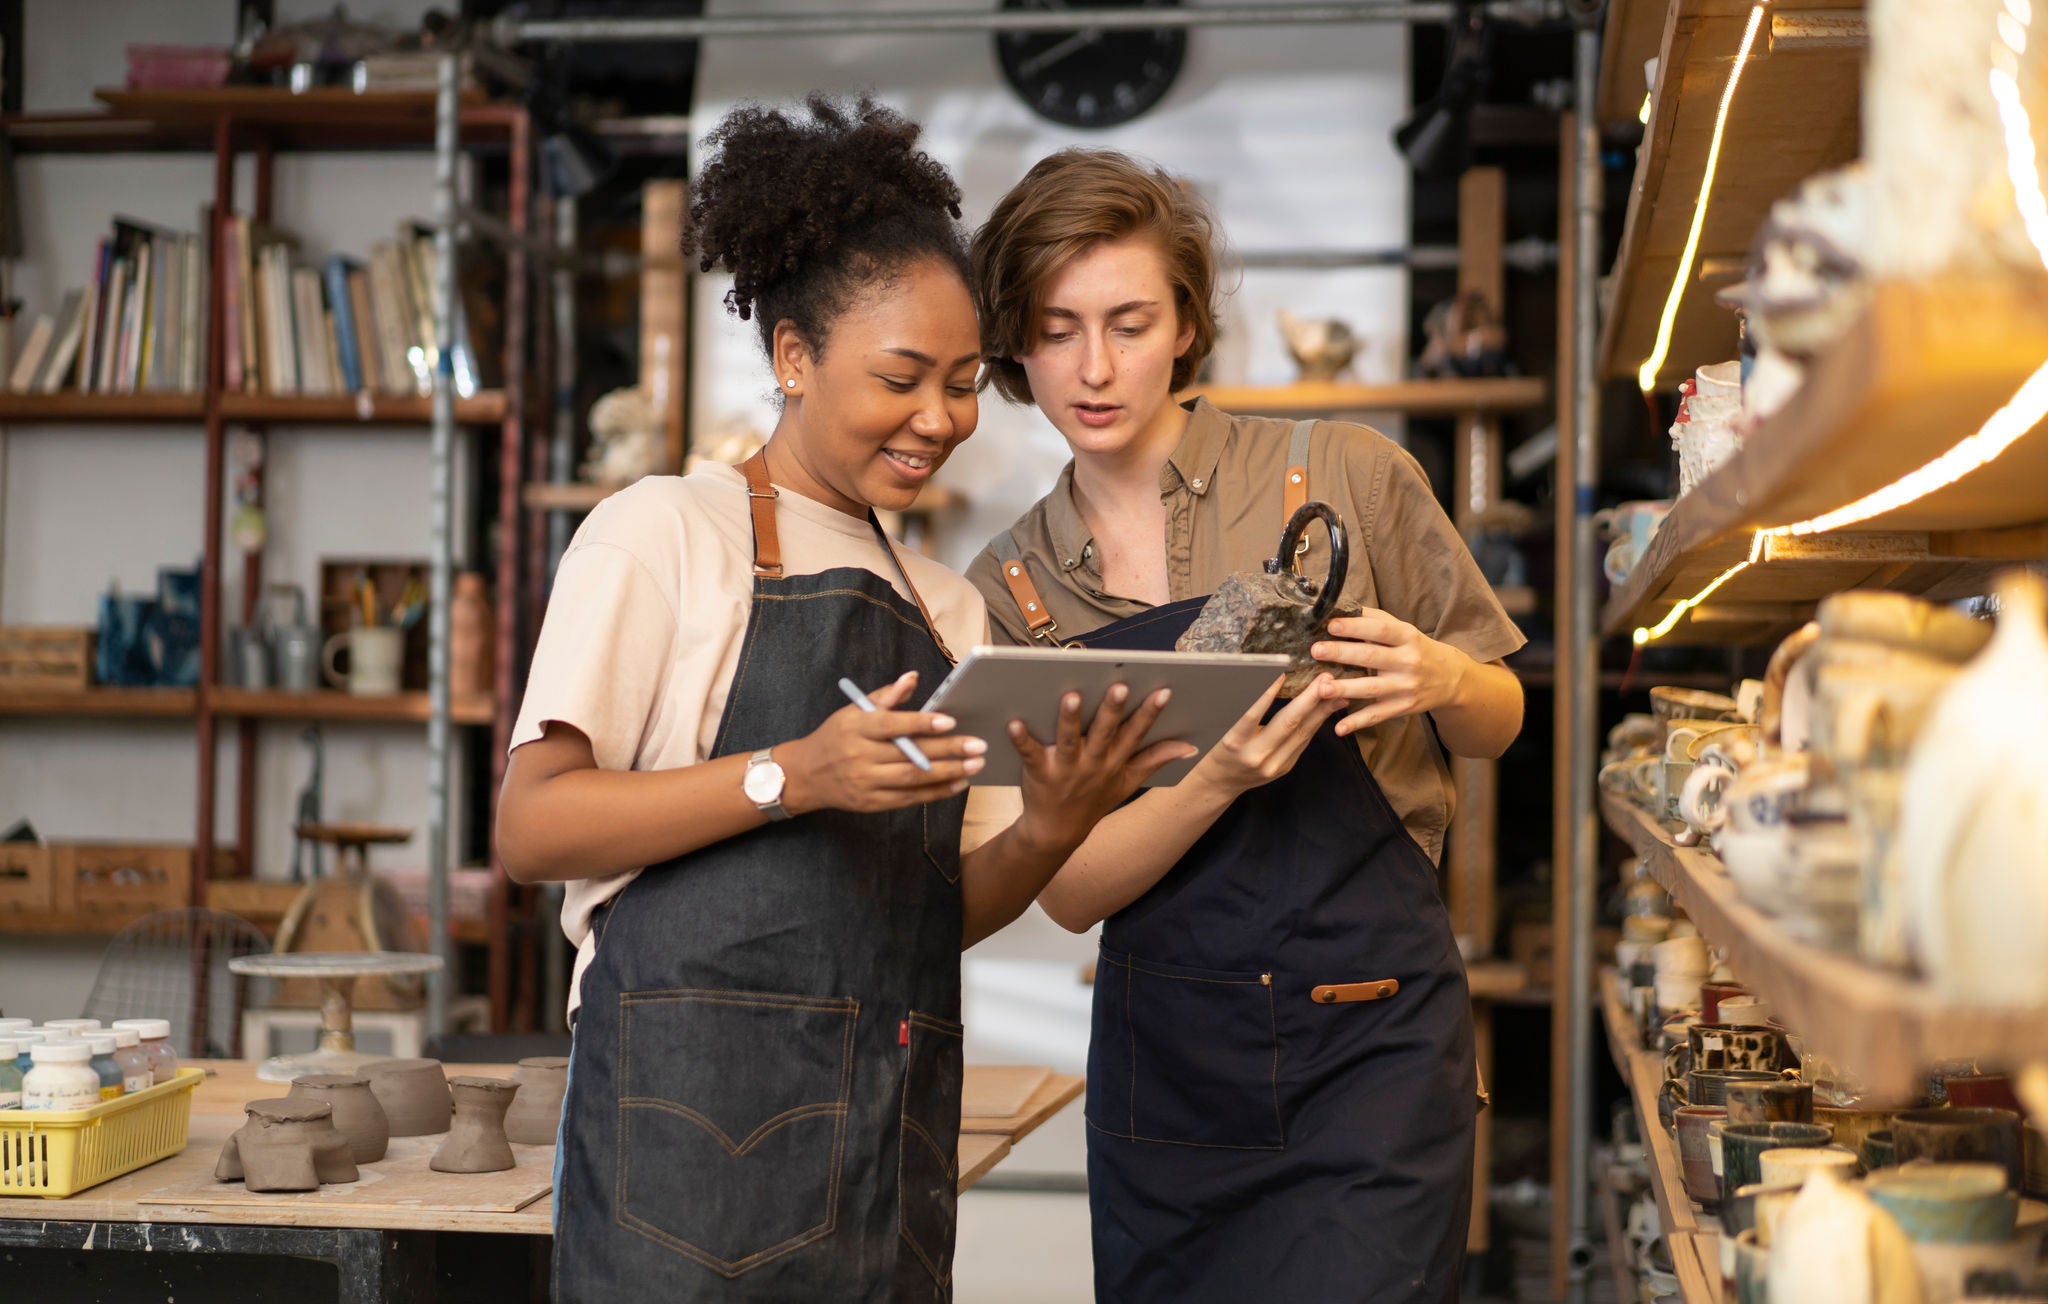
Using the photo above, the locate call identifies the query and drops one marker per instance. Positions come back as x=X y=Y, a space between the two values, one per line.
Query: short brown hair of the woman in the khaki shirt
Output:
x=1066 y=206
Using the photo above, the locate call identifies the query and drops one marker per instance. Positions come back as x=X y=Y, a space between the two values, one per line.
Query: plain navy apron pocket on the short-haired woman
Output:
x=1203 y=1055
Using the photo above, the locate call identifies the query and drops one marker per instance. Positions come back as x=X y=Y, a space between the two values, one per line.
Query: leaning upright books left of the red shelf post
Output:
x=140 y=327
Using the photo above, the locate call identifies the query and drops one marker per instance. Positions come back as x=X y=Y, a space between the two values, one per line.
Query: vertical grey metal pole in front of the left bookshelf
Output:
x=441 y=582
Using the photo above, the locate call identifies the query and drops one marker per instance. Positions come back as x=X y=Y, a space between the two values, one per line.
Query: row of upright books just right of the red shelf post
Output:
x=347 y=327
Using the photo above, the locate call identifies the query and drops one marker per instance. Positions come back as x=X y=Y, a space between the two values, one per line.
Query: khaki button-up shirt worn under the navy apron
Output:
x=1224 y=513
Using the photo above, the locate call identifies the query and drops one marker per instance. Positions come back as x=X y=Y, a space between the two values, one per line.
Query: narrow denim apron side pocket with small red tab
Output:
x=929 y=1174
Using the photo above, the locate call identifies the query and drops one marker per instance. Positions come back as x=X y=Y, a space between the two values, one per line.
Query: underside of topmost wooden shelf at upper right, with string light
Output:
x=1795 y=114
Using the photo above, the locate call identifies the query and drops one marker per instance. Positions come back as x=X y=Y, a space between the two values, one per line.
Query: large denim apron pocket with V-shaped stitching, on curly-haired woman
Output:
x=732 y=1121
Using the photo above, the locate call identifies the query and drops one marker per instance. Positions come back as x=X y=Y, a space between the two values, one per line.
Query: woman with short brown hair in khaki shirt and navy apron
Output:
x=1281 y=1082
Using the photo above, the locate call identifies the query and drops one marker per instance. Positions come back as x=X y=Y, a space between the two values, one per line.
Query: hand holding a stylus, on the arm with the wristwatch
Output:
x=851 y=763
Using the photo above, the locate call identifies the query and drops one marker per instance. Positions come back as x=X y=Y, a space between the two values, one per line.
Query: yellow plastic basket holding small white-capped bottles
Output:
x=65 y=1151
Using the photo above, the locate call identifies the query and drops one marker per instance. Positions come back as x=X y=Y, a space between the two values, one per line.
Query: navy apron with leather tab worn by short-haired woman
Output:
x=1281 y=1080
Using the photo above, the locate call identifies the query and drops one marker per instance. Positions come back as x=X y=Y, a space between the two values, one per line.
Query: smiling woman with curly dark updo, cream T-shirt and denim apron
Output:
x=767 y=898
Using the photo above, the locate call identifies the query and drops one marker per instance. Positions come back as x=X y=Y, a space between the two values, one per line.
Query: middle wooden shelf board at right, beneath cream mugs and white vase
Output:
x=1883 y=1027
